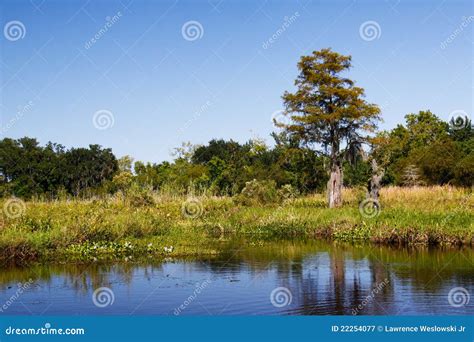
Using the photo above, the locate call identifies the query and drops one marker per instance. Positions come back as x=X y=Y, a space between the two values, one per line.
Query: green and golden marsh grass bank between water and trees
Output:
x=114 y=228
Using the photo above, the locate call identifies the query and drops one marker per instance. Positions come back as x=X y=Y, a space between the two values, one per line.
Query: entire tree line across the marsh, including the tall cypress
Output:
x=330 y=140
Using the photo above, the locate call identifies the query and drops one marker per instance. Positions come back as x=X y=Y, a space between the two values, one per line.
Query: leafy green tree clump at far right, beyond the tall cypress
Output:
x=426 y=151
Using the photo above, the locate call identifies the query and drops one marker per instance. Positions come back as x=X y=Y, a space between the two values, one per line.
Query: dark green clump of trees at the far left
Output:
x=28 y=169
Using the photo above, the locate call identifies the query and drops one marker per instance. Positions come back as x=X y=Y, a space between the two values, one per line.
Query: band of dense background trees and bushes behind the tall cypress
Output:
x=425 y=150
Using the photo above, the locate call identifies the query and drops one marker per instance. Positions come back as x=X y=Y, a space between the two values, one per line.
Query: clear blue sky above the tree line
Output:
x=141 y=77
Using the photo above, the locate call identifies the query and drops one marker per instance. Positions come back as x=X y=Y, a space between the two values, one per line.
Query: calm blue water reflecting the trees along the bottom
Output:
x=317 y=278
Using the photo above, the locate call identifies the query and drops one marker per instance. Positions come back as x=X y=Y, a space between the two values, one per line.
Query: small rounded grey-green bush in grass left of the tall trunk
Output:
x=258 y=192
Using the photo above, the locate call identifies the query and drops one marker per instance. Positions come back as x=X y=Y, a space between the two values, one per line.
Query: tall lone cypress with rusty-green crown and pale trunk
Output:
x=329 y=111
